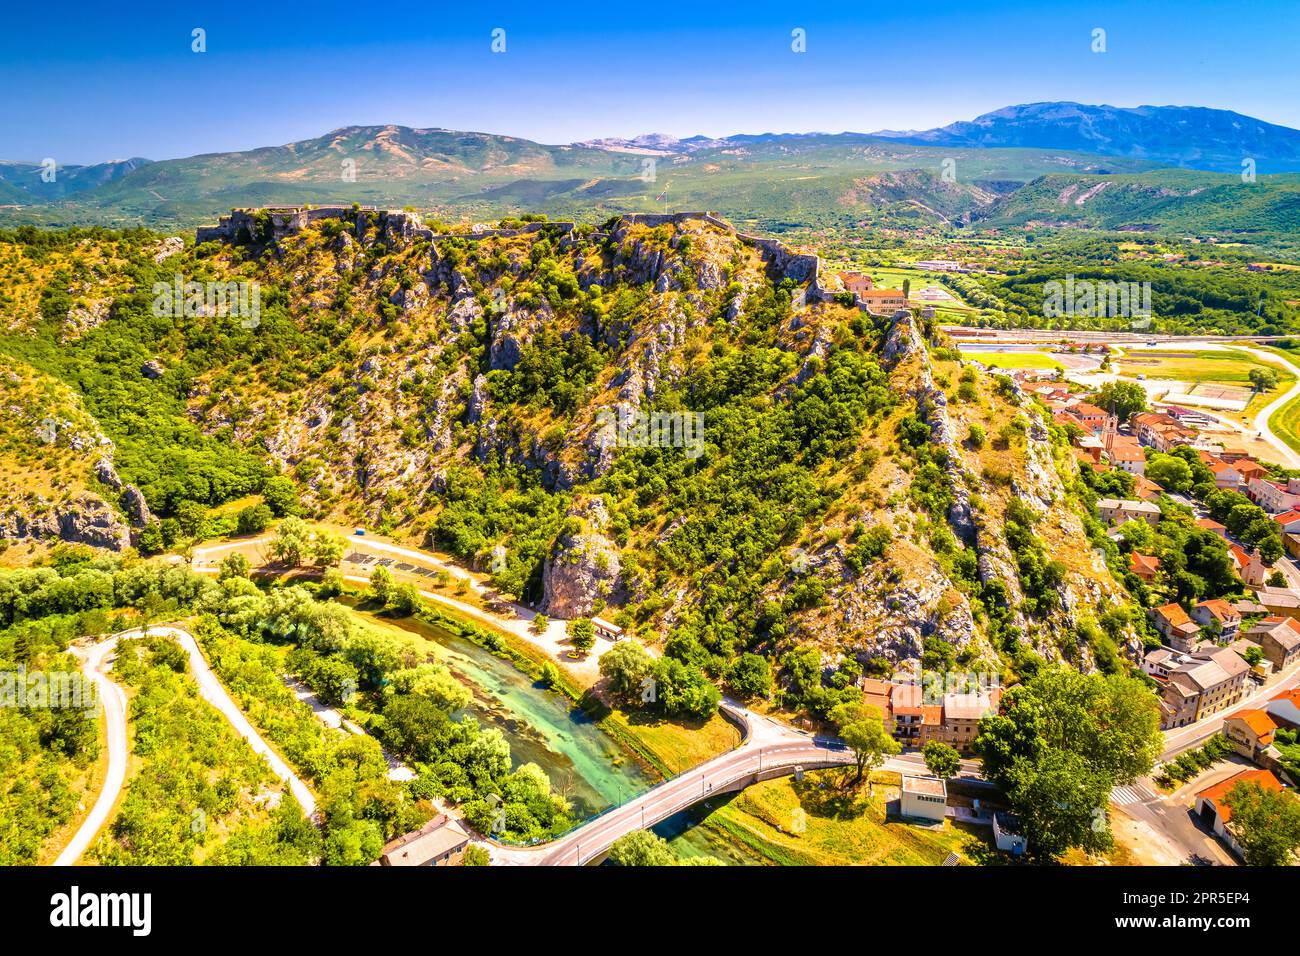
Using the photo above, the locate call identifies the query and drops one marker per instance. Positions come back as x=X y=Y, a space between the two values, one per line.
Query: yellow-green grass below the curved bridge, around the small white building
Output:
x=820 y=823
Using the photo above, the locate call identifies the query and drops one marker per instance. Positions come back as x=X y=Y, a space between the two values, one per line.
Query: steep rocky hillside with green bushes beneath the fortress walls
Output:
x=665 y=423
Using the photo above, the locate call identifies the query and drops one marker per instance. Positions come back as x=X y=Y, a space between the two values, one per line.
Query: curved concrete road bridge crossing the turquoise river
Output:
x=770 y=750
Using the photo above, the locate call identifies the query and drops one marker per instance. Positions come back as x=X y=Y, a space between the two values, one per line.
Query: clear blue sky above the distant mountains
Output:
x=89 y=83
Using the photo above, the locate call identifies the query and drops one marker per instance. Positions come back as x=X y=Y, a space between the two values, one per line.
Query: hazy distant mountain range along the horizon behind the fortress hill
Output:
x=1022 y=166
